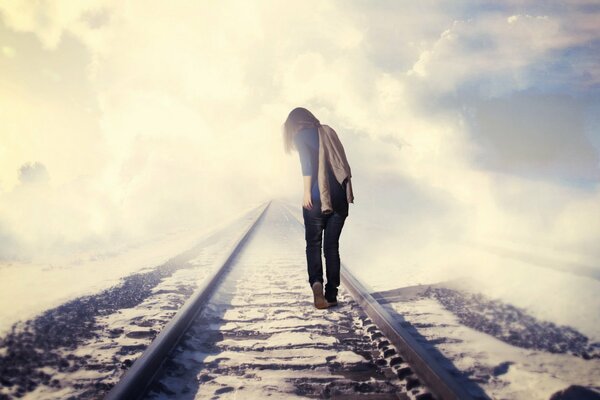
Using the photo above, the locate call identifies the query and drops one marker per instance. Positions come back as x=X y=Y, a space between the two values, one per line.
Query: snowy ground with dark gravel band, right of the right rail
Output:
x=513 y=347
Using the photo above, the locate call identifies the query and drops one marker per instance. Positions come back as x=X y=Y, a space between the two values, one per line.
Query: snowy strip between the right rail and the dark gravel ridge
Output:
x=501 y=369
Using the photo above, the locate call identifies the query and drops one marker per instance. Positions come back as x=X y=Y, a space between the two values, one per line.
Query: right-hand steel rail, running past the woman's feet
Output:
x=437 y=379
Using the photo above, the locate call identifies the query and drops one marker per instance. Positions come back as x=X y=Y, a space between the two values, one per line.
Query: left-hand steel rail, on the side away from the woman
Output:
x=135 y=382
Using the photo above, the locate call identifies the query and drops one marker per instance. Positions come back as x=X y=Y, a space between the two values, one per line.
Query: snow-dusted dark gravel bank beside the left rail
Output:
x=81 y=347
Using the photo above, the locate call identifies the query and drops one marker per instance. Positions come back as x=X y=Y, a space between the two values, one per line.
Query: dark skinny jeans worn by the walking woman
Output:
x=315 y=223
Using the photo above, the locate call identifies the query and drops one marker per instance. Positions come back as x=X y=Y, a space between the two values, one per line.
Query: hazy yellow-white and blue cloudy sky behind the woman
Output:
x=476 y=121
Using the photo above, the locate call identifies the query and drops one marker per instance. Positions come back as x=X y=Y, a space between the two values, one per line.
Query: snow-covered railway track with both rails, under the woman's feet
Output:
x=251 y=331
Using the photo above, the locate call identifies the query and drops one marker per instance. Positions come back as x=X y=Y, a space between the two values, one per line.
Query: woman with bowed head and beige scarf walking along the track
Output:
x=301 y=132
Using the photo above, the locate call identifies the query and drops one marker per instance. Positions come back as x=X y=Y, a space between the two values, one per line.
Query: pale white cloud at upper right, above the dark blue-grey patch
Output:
x=493 y=48
